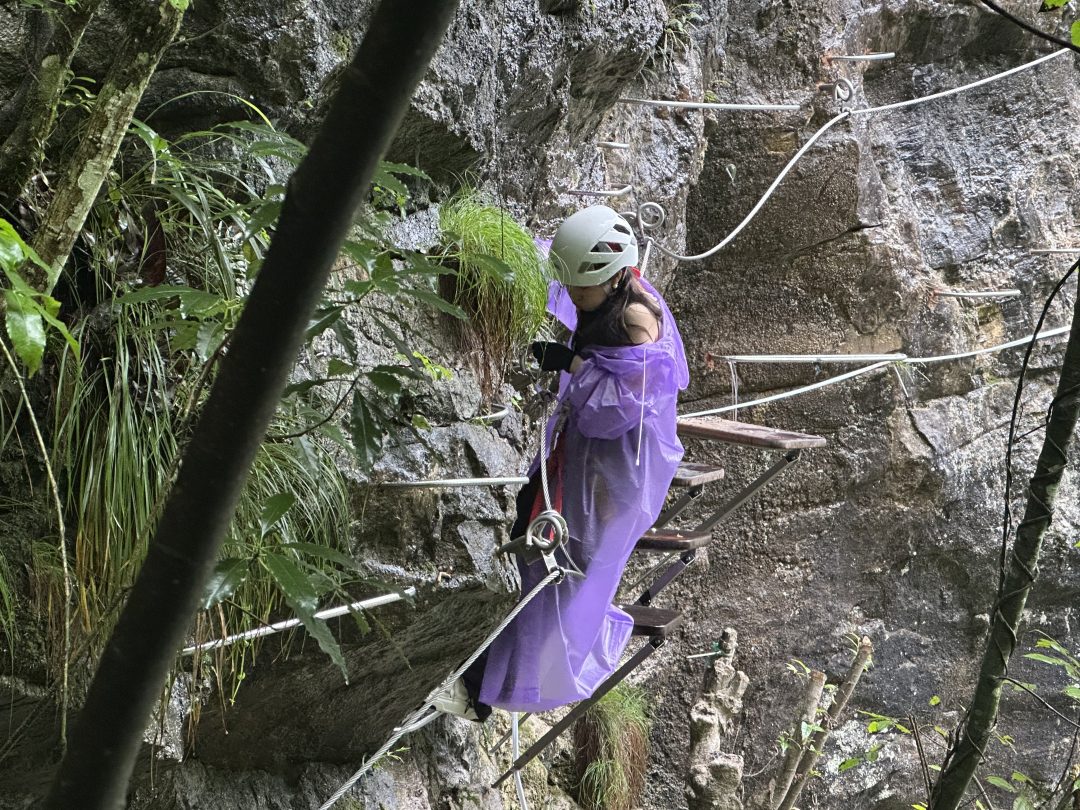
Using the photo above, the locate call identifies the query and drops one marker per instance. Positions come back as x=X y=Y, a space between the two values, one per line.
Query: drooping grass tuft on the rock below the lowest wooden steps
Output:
x=612 y=744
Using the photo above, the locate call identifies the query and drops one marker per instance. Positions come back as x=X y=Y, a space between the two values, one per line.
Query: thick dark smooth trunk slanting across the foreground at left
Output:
x=318 y=214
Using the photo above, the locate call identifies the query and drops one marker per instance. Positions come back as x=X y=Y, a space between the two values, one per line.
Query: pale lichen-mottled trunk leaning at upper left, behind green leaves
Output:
x=117 y=99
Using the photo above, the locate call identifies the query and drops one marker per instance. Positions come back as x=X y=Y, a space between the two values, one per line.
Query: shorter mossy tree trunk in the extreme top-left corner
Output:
x=19 y=157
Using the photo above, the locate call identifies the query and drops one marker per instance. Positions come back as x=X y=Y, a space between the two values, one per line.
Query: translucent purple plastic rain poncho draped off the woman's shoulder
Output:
x=570 y=639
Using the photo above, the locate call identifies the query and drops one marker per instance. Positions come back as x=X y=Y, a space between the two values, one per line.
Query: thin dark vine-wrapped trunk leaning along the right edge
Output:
x=982 y=715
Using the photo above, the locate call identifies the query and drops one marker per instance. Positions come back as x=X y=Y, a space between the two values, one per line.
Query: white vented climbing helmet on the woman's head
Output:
x=591 y=247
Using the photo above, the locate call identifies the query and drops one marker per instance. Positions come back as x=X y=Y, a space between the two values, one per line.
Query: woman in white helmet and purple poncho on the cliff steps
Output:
x=613 y=453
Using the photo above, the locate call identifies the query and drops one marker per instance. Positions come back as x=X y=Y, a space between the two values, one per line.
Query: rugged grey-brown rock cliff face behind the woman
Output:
x=893 y=531
